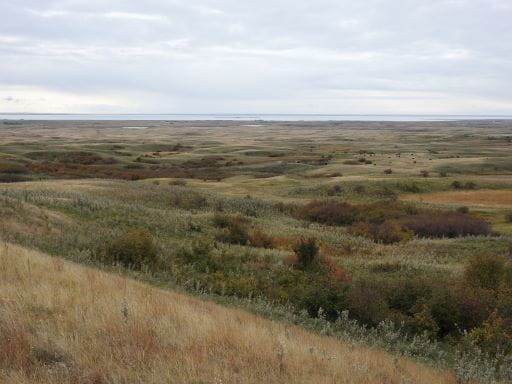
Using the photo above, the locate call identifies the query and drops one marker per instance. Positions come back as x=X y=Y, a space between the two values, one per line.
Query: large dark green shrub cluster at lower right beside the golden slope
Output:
x=475 y=309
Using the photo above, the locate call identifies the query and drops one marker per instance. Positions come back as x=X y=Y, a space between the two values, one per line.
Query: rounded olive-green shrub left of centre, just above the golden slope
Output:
x=134 y=249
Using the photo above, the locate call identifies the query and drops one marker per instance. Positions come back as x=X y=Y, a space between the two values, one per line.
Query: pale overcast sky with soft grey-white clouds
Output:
x=265 y=56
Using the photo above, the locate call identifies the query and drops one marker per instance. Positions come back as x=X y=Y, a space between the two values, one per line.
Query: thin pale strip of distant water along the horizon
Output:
x=247 y=117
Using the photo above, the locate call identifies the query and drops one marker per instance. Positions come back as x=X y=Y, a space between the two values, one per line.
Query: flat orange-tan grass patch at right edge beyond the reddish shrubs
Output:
x=492 y=198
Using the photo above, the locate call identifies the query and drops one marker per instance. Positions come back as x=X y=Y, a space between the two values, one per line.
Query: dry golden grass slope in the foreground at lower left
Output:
x=65 y=323
